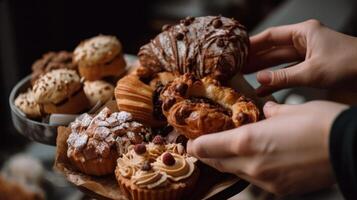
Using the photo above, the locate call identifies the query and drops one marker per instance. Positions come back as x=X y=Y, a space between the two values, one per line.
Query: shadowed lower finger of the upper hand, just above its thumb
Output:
x=272 y=57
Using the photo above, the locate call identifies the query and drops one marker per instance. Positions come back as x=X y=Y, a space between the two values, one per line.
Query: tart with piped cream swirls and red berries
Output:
x=156 y=171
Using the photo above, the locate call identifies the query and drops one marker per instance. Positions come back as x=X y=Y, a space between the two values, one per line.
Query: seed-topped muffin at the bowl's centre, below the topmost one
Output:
x=60 y=91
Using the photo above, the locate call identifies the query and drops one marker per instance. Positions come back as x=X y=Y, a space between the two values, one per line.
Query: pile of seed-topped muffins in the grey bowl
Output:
x=71 y=83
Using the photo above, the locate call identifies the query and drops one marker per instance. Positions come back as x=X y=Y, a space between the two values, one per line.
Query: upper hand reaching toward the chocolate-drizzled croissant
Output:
x=329 y=58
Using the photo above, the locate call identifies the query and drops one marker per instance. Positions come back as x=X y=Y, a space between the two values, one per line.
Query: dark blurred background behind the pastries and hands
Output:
x=29 y=29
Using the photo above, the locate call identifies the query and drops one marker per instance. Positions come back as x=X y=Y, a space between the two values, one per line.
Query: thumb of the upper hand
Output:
x=272 y=81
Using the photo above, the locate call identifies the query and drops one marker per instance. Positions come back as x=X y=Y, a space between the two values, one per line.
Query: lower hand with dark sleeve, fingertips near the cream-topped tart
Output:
x=284 y=154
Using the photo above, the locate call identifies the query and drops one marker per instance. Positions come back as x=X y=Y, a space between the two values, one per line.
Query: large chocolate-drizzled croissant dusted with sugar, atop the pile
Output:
x=212 y=46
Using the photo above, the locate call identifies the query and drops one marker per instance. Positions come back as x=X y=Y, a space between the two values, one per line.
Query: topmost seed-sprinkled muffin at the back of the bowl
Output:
x=99 y=57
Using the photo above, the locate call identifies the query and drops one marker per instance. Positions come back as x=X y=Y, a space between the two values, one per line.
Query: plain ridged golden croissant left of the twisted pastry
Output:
x=140 y=99
